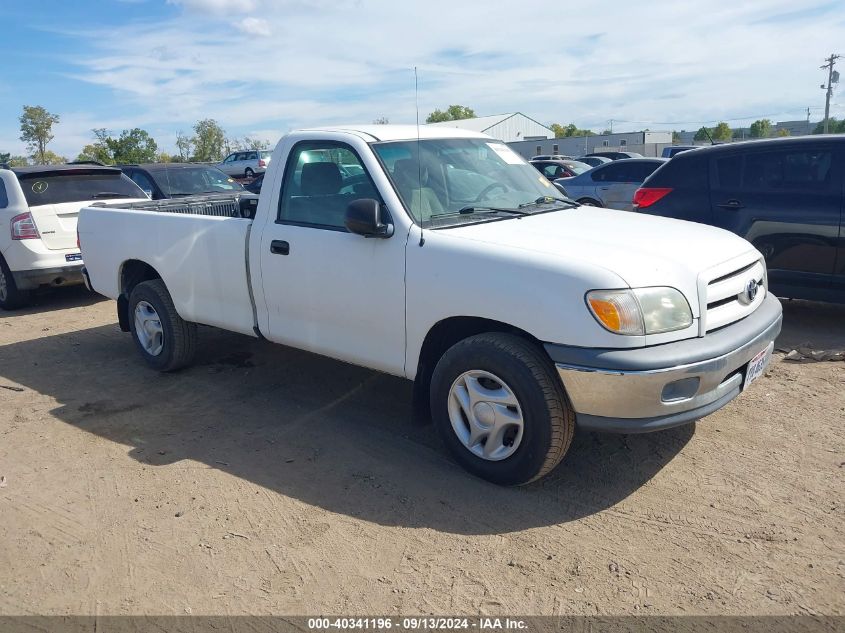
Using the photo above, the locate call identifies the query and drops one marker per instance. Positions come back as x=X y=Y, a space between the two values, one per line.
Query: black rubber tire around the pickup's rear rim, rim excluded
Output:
x=179 y=337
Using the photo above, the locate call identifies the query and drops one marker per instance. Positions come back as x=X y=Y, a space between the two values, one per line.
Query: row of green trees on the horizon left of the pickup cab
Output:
x=208 y=143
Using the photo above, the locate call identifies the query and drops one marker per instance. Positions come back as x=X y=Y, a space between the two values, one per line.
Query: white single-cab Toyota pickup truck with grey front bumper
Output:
x=441 y=256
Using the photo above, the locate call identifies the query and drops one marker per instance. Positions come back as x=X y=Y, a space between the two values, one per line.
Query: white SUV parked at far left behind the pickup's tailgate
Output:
x=38 y=211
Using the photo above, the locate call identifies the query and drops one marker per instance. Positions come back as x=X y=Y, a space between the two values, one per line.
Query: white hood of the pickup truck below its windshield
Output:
x=643 y=250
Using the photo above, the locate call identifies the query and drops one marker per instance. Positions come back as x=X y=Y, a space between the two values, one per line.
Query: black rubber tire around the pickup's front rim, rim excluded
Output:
x=548 y=418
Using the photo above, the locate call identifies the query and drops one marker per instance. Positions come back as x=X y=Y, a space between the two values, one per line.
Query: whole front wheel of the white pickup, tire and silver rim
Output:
x=500 y=409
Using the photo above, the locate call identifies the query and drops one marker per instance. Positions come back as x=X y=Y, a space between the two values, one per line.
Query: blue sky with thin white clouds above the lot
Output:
x=264 y=67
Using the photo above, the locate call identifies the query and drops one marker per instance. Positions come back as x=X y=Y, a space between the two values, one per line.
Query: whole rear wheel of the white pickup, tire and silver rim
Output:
x=166 y=341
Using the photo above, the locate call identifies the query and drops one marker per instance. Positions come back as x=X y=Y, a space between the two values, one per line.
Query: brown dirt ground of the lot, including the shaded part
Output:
x=270 y=481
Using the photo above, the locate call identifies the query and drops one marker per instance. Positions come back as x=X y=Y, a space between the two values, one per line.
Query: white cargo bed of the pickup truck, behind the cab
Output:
x=197 y=245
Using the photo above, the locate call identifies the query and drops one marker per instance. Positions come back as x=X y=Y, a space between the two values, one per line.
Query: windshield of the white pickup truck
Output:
x=444 y=181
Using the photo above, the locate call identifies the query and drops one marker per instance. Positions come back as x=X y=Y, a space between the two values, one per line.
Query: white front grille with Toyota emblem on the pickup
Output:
x=734 y=296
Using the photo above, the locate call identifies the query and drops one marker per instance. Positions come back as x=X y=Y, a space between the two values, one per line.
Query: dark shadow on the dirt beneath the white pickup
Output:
x=324 y=432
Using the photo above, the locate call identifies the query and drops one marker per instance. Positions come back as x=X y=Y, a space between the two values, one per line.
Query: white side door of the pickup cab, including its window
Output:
x=327 y=290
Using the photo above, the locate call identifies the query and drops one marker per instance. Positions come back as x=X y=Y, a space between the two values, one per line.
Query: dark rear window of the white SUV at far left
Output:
x=76 y=185
